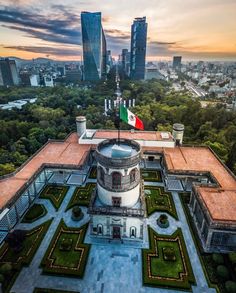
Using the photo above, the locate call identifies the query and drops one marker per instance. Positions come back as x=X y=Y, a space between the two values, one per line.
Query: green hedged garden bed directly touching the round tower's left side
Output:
x=81 y=196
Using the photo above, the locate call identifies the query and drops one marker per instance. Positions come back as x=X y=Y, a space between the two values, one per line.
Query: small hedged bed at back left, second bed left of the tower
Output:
x=55 y=193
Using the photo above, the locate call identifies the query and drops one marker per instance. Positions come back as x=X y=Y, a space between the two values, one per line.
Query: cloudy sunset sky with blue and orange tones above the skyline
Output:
x=195 y=29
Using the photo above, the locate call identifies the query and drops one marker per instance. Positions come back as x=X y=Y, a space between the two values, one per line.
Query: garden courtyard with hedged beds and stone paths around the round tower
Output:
x=62 y=257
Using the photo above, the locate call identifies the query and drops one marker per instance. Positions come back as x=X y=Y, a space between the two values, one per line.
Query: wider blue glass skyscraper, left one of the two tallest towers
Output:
x=94 y=46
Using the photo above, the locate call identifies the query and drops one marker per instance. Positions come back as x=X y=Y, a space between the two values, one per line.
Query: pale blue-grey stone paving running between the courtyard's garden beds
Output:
x=111 y=268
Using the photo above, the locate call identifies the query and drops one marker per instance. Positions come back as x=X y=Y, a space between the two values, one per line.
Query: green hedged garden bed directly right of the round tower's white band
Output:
x=158 y=200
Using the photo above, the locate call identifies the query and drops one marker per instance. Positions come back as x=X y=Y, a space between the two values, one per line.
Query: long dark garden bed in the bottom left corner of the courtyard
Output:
x=17 y=258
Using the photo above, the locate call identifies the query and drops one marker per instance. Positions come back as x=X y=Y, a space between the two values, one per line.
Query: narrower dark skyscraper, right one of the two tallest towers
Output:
x=138 y=48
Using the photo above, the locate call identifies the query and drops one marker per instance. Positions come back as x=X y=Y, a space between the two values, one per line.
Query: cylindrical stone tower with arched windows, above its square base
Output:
x=118 y=172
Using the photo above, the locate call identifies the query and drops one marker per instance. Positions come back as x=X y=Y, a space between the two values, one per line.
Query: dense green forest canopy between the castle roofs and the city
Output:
x=53 y=117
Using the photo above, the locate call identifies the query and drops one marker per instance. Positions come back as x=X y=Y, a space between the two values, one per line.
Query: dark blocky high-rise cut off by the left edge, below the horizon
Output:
x=8 y=73
